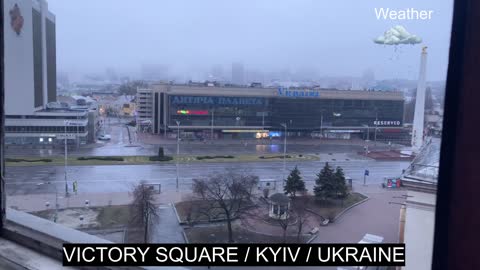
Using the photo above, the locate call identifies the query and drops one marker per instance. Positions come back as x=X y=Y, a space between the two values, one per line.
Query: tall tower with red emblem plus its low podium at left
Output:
x=32 y=113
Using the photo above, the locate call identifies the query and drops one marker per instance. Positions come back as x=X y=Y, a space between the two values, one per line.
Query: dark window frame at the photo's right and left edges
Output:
x=455 y=245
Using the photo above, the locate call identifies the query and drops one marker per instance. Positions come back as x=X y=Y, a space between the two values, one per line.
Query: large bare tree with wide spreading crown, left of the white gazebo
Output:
x=228 y=194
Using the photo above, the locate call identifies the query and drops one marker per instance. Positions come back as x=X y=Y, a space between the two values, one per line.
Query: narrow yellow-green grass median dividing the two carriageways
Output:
x=131 y=160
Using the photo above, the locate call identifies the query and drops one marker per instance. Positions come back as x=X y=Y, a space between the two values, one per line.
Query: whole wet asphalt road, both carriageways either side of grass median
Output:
x=116 y=178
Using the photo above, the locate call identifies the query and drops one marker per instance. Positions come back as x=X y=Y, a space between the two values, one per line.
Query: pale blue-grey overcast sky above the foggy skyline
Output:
x=334 y=38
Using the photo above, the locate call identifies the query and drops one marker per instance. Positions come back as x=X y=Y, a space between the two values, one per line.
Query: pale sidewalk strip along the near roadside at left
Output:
x=37 y=202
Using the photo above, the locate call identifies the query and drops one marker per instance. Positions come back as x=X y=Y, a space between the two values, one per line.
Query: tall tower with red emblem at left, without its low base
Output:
x=30 y=56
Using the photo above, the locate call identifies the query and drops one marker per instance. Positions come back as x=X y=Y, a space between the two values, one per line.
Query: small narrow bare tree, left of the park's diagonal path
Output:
x=143 y=207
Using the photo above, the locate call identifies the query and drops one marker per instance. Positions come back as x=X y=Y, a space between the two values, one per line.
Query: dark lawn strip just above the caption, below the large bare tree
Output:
x=219 y=234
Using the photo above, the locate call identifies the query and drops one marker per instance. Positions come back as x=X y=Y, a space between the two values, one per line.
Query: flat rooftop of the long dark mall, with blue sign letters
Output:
x=304 y=93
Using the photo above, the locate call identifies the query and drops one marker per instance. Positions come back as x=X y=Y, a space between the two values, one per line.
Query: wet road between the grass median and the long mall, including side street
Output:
x=146 y=144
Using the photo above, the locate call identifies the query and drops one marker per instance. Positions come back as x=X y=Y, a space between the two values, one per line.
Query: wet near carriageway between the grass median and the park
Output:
x=116 y=178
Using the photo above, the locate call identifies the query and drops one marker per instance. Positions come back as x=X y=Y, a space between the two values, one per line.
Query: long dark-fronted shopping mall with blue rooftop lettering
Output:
x=254 y=112
